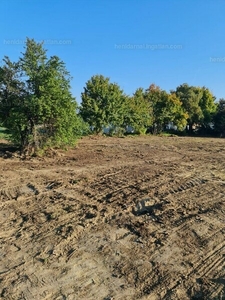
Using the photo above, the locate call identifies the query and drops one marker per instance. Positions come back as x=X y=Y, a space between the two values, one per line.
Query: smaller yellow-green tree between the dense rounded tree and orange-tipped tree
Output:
x=138 y=112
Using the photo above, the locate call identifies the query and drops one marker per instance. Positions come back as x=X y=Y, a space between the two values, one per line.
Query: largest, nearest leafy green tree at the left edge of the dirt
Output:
x=35 y=100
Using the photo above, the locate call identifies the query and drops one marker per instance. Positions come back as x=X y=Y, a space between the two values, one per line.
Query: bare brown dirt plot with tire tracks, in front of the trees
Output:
x=132 y=218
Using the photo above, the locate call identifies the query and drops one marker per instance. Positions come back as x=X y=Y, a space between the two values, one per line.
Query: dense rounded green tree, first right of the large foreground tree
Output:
x=102 y=103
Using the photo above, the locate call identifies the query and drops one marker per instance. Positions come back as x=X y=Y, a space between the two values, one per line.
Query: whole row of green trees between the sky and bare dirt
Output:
x=37 y=106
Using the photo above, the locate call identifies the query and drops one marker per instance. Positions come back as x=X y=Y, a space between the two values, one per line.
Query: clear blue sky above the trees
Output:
x=116 y=38
